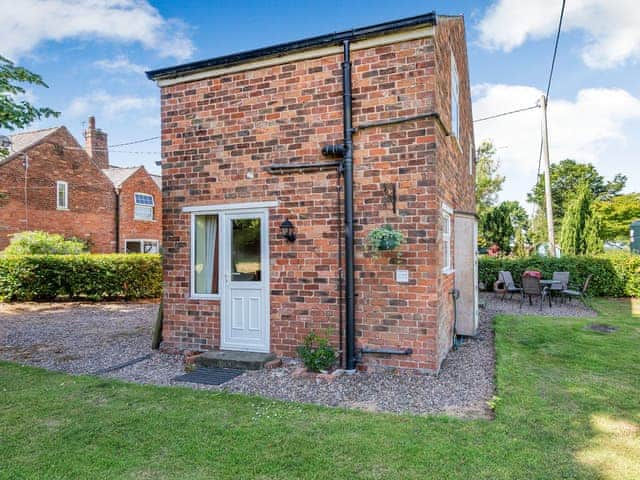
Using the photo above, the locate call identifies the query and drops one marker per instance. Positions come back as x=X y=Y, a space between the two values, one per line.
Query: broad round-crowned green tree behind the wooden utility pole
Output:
x=566 y=177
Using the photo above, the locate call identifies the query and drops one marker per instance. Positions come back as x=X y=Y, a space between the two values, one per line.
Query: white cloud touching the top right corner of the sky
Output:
x=611 y=32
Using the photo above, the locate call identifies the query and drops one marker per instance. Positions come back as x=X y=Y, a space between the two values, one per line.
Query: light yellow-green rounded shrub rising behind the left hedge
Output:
x=43 y=243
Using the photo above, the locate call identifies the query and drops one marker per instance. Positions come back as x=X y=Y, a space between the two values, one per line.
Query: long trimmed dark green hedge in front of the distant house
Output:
x=94 y=277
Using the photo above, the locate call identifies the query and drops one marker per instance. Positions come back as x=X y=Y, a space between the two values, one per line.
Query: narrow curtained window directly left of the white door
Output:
x=204 y=255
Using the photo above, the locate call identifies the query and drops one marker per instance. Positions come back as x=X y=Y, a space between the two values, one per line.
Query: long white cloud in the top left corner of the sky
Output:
x=26 y=23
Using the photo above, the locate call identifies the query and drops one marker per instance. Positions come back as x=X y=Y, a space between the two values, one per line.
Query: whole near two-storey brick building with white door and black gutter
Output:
x=242 y=137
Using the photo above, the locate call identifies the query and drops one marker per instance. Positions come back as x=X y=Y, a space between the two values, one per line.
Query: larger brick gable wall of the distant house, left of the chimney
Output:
x=91 y=196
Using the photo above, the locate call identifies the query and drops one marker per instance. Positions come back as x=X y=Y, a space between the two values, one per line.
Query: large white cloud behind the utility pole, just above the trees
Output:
x=588 y=129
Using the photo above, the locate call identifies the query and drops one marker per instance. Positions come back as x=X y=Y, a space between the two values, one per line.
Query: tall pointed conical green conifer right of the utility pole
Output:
x=580 y=228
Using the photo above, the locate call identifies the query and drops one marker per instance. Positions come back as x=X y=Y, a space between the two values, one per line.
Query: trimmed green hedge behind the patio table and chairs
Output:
x=614 y=274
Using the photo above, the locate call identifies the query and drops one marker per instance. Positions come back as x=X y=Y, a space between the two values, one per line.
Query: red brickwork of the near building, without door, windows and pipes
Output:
x=216 y=129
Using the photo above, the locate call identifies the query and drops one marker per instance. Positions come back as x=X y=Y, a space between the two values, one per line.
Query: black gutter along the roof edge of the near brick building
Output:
x=298 y=45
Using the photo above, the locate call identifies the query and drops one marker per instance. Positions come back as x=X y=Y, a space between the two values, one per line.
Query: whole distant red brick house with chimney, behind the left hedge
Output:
x=49 y=182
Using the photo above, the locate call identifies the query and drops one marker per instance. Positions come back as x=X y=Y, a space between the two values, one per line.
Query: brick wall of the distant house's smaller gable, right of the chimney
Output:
x=130 y=228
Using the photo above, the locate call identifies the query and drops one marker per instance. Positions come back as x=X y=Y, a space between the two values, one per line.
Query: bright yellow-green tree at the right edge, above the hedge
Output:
x=617 y=214
